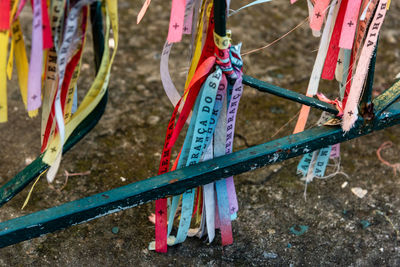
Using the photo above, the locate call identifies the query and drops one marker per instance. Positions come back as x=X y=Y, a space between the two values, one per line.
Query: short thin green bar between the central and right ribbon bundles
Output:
x=288 y=94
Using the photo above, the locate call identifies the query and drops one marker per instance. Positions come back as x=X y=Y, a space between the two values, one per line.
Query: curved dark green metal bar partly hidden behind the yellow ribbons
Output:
x=23 y=178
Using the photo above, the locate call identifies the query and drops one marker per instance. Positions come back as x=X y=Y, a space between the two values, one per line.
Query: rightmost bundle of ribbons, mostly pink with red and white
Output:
x=347 y=53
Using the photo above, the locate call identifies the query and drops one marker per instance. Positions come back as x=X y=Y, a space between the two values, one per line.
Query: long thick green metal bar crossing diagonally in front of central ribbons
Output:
x=176 y=182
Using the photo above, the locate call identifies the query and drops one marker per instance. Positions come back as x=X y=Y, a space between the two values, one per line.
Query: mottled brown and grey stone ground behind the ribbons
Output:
x=125 y=147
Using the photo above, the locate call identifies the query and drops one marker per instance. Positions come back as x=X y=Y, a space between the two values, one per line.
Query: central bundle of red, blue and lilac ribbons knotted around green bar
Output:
x=209 y=105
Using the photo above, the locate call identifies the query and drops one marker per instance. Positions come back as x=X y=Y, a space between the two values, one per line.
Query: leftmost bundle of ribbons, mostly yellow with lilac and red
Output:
x=48 y=78
